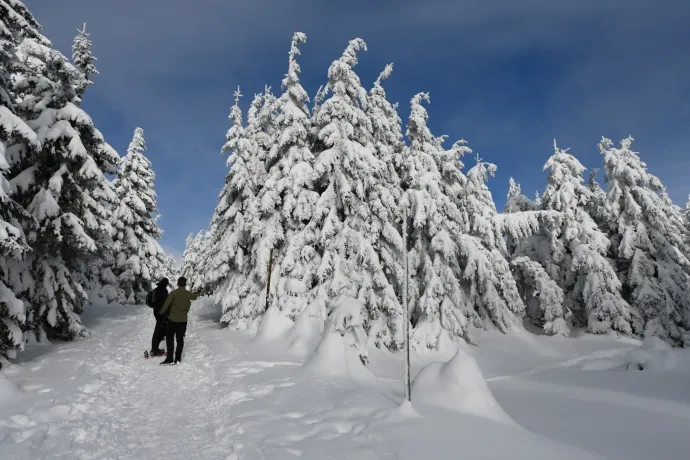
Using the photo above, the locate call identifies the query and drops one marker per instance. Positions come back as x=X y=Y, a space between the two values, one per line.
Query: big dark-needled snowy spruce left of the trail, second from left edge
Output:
x=61 y=184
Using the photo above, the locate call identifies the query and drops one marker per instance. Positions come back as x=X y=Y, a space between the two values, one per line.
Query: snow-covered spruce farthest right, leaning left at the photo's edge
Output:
x=646 y=244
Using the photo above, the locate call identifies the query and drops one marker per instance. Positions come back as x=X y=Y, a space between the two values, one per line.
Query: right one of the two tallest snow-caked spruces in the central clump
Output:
x=344 y=220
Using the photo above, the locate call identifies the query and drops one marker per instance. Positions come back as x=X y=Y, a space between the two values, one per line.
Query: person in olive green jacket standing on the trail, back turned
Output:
x=176 y=308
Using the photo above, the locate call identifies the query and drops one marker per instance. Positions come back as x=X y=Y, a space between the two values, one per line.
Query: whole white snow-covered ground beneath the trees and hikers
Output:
x=232 y=398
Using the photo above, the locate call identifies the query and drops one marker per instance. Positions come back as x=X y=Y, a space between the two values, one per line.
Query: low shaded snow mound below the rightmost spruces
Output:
x=654 y=355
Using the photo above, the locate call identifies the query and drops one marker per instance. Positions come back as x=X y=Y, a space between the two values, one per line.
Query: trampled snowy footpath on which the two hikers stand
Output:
x=117 y=405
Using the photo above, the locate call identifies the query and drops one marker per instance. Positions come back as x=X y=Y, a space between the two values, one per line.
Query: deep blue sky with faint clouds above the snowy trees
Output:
x=509 y=76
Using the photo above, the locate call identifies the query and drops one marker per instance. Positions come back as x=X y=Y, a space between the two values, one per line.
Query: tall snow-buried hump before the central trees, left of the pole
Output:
x=342 y=352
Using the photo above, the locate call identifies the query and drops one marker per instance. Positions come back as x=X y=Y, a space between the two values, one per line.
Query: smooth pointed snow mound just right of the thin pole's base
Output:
x=457 y=385
